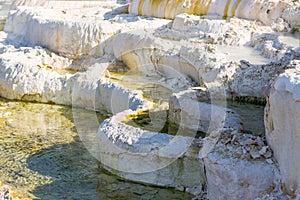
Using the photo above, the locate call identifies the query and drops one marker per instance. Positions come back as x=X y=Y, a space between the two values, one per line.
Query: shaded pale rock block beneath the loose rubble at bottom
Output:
x=230 y=178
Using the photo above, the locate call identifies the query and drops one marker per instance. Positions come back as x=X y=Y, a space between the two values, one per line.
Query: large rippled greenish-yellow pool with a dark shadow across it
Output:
x=42 y=157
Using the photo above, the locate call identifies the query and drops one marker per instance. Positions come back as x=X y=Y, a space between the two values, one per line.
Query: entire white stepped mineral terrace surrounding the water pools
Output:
x=202 y=51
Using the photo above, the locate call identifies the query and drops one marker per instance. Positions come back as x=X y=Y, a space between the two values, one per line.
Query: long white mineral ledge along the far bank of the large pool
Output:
x=35 y=74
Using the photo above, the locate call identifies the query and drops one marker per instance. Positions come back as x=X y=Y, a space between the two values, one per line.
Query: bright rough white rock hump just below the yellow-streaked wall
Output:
x=195 y=28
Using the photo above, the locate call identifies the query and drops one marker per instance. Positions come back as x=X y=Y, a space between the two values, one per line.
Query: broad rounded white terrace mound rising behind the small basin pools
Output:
x=202 y=60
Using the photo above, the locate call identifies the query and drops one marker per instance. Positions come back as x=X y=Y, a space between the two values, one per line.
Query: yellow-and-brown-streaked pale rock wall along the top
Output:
x=264 y=10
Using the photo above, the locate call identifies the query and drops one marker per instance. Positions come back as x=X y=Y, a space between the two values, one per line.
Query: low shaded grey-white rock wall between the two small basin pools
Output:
x=186 y=110
